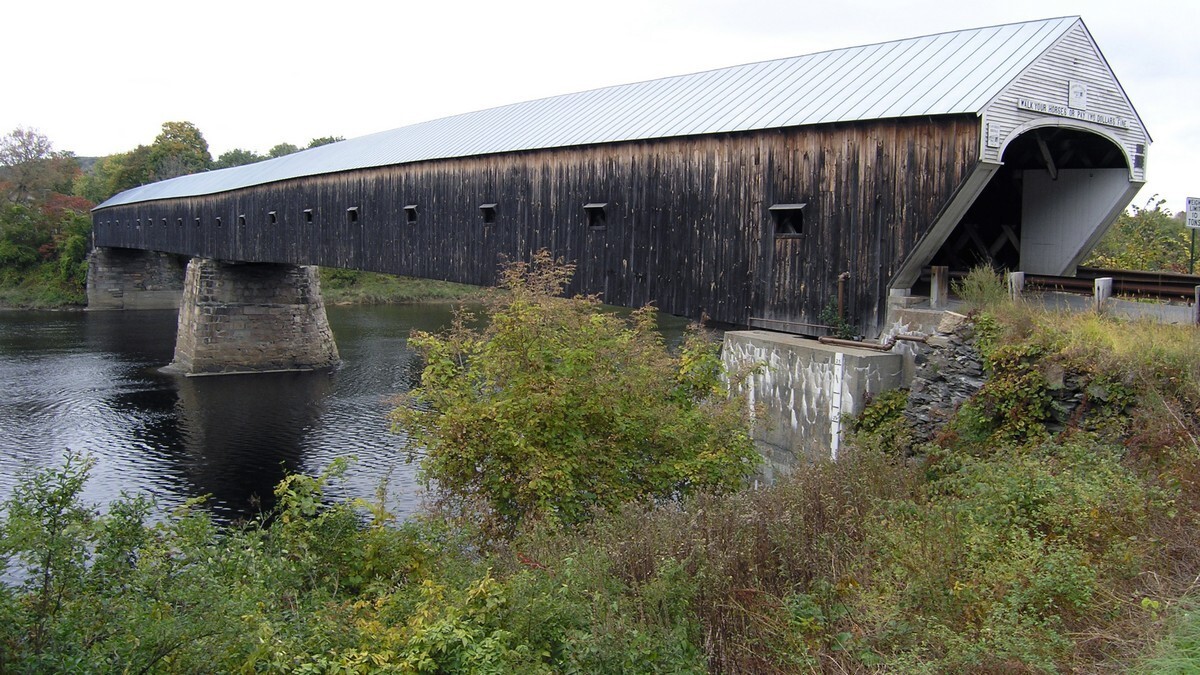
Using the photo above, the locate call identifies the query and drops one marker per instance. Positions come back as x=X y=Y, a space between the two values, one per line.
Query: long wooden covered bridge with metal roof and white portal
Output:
x=741 y=194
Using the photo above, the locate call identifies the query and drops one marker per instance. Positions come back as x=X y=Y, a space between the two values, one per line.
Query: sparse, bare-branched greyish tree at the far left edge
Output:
x=32 y=168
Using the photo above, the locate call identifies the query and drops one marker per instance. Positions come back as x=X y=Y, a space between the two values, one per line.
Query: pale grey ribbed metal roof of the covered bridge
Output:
x=945 y=74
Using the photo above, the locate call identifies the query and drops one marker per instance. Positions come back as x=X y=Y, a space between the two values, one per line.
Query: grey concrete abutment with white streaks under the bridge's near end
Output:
x=803 y=392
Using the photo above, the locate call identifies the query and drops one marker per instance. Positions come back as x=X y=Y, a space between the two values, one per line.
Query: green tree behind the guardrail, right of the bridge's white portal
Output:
x=1148 y=238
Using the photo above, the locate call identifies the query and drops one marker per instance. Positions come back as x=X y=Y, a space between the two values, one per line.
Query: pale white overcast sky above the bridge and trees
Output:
x=101 y=77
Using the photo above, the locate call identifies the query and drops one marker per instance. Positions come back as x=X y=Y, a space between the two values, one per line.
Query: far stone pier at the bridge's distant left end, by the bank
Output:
x=130 y=279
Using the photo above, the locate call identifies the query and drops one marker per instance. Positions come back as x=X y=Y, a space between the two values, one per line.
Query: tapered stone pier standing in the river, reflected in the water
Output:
x=251 y=318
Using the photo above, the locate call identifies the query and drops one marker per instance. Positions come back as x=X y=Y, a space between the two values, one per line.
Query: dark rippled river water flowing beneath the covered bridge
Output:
x=89 y=383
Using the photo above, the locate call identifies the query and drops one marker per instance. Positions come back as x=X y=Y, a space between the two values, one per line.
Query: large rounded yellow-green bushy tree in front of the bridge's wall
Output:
x=559 y=408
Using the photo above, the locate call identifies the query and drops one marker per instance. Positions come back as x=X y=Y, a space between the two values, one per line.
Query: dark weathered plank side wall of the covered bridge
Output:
x=687 y=224
